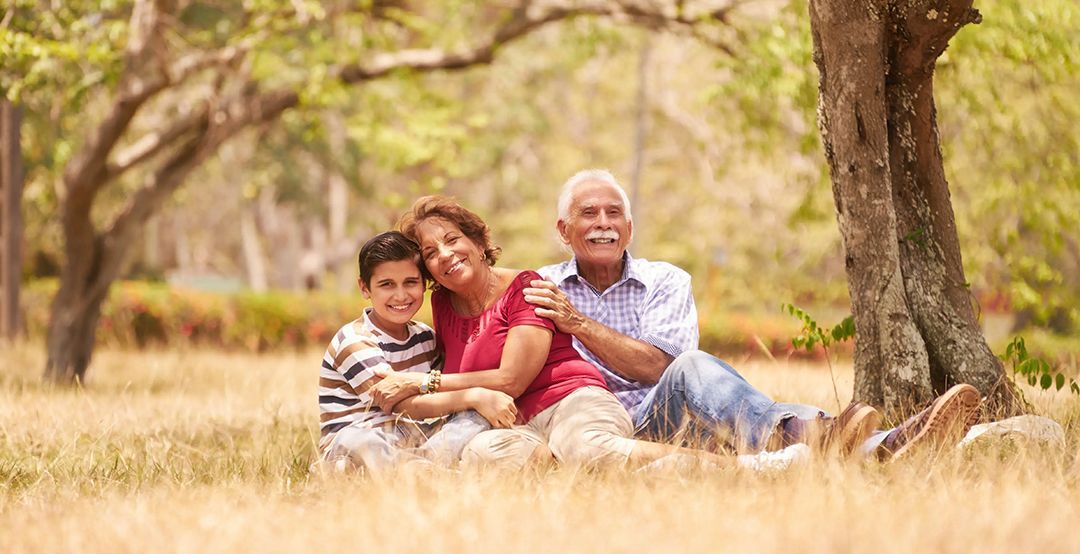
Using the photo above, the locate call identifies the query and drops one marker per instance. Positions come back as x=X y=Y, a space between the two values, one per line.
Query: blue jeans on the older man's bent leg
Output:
x=707 y=399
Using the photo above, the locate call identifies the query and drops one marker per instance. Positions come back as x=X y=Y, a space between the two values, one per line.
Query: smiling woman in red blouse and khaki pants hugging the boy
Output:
x=492 y=339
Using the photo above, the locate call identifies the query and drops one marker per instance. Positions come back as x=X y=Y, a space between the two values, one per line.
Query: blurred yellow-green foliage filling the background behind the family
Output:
x=733 y=183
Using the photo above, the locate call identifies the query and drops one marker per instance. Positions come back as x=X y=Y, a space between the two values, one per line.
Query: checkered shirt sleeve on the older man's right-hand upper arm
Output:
x=669 y=318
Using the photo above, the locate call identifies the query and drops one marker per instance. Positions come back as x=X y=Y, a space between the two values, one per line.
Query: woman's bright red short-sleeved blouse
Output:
x=477 y=344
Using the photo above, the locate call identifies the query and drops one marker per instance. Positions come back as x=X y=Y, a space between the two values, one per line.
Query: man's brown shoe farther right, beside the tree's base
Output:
x=949 y=417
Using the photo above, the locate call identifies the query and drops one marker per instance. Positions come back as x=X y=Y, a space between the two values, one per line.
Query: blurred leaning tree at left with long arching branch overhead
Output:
x=248 y=63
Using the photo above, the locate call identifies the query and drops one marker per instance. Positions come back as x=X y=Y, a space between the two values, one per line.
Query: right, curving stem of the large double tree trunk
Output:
x=930 y=250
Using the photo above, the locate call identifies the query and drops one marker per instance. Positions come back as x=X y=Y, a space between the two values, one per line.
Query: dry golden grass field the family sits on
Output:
x=208 y=452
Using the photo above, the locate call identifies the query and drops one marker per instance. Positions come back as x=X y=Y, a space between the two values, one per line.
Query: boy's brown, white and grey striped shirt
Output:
x=349 y=364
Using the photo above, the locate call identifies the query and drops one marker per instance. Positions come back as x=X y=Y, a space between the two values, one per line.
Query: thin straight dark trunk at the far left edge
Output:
x=11 y=219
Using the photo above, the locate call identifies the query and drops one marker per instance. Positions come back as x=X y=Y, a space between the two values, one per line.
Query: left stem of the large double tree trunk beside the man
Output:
x=892 y=366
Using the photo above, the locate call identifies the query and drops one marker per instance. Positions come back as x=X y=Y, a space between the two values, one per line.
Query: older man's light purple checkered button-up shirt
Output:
x=653 y=303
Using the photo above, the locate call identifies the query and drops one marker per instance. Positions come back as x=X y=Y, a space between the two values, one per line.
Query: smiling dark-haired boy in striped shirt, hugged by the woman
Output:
x=354 y=430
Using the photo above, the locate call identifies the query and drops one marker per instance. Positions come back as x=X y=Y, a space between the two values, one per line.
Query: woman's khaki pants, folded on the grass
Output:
x=589 y=427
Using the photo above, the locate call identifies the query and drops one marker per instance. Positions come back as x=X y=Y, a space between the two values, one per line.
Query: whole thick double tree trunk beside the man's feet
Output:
x=916 y=330
